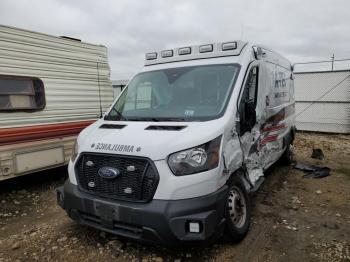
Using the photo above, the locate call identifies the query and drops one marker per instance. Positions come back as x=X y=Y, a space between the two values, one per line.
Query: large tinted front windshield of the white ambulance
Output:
x=195 y=93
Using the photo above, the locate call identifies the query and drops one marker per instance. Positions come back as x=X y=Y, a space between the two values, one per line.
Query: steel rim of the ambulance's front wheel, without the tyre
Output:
x=237 y=207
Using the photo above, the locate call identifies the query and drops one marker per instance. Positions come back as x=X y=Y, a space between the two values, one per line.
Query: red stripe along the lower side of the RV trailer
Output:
x=31 y=133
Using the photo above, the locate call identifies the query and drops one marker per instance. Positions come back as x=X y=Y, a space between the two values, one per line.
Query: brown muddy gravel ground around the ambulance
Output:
x=294 y=218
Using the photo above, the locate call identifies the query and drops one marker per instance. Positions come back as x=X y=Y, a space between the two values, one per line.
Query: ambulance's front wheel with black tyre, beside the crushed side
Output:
x=238 y=210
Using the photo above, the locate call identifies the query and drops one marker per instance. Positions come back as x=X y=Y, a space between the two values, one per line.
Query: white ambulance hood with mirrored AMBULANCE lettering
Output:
x=154 y=140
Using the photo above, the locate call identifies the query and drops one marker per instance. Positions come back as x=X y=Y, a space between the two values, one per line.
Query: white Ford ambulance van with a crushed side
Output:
x=176 y=156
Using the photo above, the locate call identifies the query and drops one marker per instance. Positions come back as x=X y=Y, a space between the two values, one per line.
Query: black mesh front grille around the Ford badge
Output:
x=137 y=184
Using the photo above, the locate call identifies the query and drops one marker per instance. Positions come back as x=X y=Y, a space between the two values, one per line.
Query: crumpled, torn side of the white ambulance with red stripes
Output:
x=264 y=143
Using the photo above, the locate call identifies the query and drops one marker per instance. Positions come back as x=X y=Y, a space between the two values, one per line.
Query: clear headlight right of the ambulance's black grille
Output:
x=197 y=159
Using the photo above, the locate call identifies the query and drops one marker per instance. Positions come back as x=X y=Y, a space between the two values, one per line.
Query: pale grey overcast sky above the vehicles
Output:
x=299 y=29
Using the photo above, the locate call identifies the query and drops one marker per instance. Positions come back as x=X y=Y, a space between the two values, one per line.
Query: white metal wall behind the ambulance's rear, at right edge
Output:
x=323 y=101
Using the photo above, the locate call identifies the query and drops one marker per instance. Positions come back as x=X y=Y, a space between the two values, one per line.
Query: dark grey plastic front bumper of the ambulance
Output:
x=158 y=221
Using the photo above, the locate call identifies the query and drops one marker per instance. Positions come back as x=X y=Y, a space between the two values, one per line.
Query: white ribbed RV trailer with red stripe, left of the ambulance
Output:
x=50 y=89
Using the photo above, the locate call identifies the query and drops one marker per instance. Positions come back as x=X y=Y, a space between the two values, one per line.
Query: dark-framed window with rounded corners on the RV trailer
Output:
x=19 y=93
